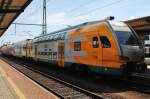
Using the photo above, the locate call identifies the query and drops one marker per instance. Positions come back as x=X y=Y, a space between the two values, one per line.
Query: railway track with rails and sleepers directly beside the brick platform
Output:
x=62 y=89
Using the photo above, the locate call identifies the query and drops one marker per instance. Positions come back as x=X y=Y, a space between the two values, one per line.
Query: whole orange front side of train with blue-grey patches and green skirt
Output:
x=93 y=46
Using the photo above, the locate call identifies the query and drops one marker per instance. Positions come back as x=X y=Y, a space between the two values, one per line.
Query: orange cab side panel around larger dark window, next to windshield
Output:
x=109 y=49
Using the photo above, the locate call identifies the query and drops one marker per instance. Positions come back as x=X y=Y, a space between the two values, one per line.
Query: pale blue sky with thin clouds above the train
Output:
x=63 y=13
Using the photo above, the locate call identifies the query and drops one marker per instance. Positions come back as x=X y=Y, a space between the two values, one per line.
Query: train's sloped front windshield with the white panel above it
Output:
x=124 y=35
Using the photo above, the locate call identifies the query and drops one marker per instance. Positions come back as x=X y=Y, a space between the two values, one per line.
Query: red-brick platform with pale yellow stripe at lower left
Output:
x=15 y=85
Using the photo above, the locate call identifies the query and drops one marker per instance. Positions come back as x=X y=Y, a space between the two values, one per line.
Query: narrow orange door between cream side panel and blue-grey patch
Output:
x=61 y=54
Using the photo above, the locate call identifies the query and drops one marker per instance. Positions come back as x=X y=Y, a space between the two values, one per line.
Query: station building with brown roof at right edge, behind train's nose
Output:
x=142 y=28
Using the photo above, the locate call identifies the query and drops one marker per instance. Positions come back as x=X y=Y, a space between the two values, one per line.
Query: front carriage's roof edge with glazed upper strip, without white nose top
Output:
x=60 y=34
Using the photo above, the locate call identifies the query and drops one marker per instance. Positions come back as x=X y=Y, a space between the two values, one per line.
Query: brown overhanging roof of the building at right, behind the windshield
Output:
x=140 y=24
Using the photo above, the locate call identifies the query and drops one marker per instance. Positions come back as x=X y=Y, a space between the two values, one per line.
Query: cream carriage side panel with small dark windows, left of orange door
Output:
x=47 y=51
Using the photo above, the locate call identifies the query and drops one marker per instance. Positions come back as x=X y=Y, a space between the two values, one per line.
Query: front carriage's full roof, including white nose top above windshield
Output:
x=60 y=34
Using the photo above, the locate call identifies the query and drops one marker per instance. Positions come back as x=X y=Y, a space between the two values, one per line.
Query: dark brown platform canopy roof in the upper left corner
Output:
x=9 y=11
